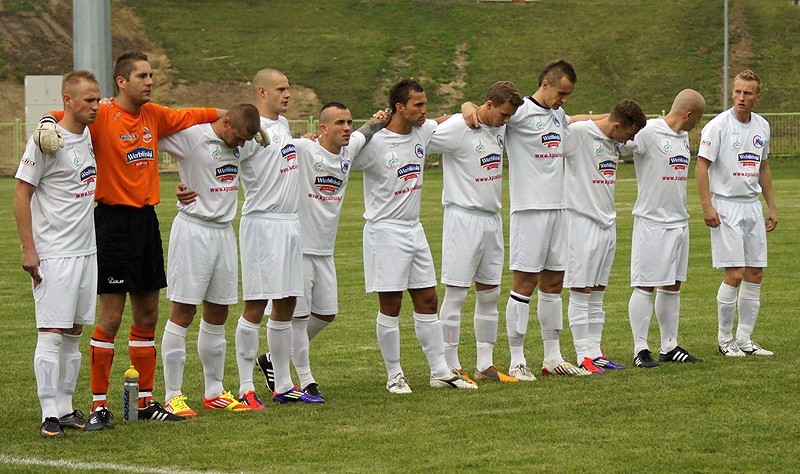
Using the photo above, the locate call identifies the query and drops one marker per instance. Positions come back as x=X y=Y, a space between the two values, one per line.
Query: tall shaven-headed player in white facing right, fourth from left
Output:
x=271 y=248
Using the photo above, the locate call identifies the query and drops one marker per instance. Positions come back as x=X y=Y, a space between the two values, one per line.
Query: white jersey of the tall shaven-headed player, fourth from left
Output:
x=269 y=175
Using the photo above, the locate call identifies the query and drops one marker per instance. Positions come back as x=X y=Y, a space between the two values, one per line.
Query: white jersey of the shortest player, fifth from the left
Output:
x=323 y=180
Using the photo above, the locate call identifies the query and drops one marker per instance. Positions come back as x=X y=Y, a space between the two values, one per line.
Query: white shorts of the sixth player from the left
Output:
x=397 y=257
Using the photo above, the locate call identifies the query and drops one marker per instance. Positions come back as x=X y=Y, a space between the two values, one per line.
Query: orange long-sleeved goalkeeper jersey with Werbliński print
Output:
x=126 y=149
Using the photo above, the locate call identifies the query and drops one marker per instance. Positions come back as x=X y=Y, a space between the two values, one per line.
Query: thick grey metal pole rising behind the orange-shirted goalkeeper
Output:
x=91 y=44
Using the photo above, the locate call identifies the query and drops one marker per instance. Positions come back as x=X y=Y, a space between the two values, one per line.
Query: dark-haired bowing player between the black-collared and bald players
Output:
x=591 y=154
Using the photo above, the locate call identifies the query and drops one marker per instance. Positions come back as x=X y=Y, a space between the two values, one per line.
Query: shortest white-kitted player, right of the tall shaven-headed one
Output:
x=324 y=172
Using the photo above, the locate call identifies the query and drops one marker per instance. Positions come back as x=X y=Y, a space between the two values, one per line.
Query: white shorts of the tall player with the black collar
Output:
x=538 y=240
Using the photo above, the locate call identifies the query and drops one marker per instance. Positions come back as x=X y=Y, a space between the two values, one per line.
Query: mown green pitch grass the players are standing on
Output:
x=720 y=415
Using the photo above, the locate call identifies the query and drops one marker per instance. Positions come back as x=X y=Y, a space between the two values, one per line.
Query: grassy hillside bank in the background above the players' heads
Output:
x=345 y=49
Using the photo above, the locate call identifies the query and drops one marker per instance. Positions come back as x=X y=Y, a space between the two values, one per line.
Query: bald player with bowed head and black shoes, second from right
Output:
x=660 y=245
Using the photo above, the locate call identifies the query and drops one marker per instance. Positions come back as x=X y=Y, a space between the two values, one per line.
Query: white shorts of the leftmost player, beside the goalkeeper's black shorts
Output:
x=67 y=294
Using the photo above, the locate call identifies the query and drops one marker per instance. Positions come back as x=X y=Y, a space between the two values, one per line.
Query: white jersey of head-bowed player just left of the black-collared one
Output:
x=472 y=163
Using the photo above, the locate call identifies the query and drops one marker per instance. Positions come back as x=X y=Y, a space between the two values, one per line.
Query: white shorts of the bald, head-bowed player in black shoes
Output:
x=659 y=255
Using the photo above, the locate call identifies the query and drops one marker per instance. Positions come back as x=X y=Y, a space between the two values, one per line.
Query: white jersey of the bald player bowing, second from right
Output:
x=661 y=157
